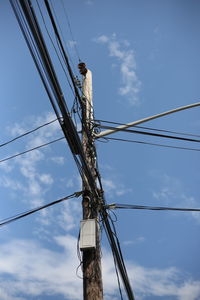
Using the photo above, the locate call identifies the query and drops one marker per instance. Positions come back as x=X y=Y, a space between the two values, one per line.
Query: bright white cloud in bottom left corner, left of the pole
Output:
x=35 y=270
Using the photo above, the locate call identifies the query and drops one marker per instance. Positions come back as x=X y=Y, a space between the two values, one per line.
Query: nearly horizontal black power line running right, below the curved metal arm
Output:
x=132 y=206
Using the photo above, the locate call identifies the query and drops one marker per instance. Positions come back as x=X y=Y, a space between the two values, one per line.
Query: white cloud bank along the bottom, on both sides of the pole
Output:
x=33 y=270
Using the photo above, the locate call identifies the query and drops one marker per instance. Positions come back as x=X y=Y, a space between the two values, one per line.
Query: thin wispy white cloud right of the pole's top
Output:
x=131 y=85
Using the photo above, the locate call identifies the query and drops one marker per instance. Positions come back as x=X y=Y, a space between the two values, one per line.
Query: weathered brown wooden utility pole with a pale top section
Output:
x=92 y=276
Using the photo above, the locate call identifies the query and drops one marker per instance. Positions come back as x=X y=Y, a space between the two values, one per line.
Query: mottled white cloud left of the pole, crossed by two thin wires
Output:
x=31 y=181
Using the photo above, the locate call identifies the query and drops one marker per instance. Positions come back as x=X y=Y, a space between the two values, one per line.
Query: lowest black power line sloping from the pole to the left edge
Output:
x=34 y=210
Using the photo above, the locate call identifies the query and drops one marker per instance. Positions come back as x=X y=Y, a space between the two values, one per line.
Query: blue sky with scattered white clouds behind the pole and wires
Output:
x=144 y=56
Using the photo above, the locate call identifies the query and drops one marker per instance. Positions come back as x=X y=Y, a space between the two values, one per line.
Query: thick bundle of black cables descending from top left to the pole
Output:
x=34 y=38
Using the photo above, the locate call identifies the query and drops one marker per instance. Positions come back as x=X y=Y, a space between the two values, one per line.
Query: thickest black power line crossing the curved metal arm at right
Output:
x=151 y=134
